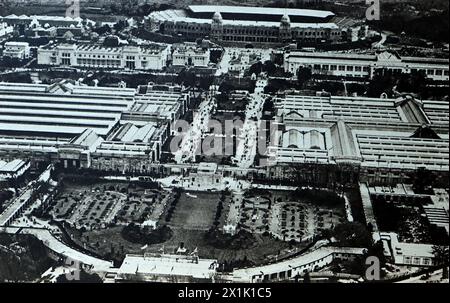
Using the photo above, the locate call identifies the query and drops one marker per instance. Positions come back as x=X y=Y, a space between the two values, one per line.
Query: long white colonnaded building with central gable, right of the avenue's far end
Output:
x=355 y=65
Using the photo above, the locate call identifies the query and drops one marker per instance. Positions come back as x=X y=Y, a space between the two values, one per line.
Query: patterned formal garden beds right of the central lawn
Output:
x=291 y=215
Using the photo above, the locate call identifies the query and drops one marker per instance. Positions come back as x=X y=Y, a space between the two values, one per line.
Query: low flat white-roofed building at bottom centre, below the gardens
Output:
x=166 y=268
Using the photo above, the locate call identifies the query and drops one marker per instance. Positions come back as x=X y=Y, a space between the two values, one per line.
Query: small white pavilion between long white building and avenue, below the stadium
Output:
x=190 y=54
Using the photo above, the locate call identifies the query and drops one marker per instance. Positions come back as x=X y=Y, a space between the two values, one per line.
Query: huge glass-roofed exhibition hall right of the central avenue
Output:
x=381 y=141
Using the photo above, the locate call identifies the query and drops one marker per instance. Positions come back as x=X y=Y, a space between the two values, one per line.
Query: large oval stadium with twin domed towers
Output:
x=256 y=25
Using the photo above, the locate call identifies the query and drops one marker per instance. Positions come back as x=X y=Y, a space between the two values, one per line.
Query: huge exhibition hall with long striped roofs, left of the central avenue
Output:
x=124 y=130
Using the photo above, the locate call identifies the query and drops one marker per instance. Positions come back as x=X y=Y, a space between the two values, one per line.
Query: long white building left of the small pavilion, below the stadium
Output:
x=152 y=57
